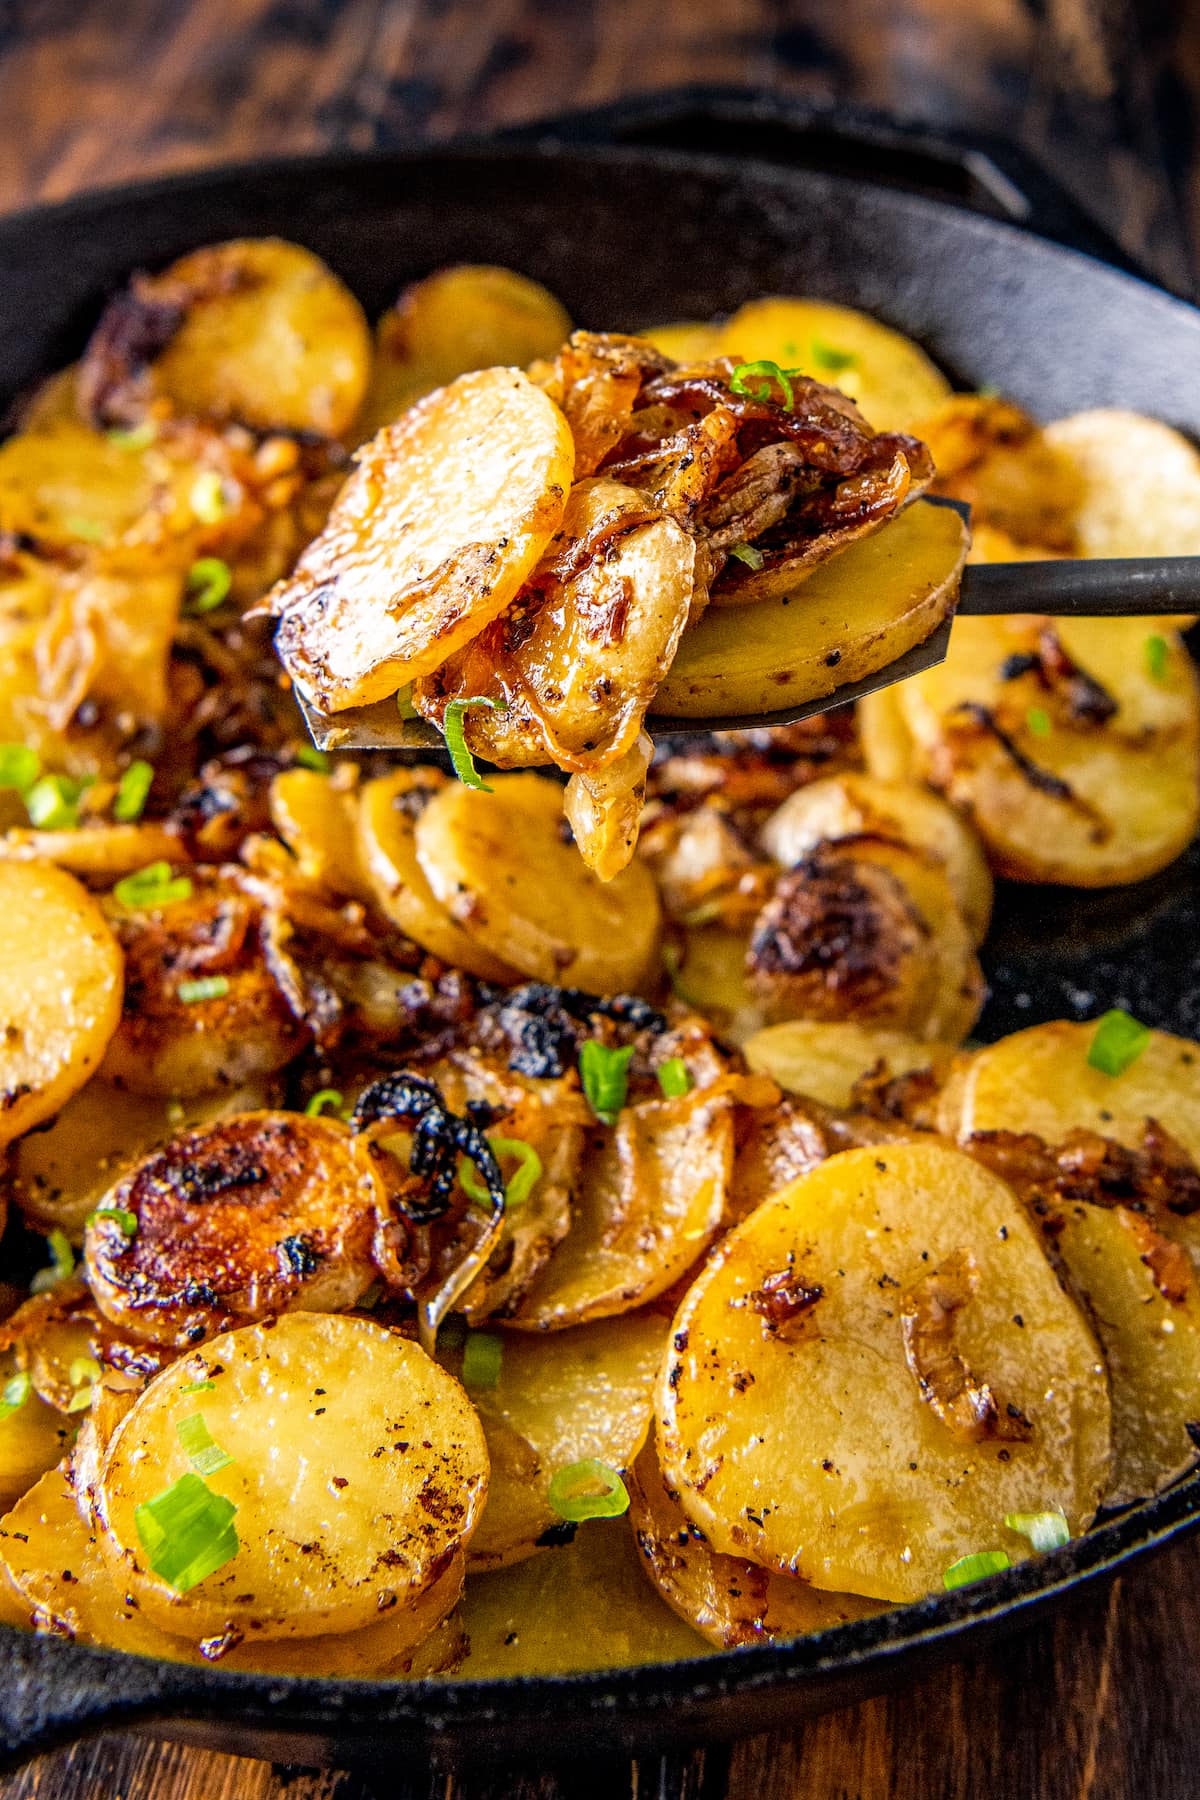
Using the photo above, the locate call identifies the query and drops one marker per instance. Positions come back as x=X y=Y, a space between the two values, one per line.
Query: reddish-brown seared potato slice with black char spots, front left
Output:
x=240 y=1219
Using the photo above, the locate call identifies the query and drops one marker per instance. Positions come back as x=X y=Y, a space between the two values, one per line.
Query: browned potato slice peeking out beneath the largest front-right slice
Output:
x=726 y=1599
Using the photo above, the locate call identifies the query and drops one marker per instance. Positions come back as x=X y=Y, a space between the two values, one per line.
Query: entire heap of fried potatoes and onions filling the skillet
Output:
x=431 y=1254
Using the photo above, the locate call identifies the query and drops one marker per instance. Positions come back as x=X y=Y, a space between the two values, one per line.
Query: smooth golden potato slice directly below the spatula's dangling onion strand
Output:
x=510 y=877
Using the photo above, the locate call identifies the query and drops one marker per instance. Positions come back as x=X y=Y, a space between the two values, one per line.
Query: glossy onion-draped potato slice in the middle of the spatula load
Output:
x=598 y=629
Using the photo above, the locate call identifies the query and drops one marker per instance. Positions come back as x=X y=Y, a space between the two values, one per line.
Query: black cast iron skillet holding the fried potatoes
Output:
x=629 y=237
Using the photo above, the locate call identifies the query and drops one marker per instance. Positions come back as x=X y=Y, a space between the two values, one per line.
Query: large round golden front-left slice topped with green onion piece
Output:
x=305 y=1470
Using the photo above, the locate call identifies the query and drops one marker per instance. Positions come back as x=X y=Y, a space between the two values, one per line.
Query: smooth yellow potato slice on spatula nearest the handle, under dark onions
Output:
x=850 y=618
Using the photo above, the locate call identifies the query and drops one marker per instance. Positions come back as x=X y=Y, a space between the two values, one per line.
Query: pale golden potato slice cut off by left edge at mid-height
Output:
x=60 y=993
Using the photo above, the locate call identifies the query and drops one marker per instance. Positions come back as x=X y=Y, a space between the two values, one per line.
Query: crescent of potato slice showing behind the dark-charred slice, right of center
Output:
x=850 y=804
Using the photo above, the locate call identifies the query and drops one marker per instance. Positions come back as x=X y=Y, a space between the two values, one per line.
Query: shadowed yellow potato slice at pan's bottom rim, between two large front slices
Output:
x=580 y=1606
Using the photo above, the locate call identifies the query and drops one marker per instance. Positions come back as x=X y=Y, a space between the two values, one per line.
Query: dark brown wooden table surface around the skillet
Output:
x=1106 y=1704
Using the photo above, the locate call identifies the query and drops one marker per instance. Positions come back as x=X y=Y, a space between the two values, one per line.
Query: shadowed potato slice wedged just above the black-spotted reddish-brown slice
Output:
x=62 y=1173
